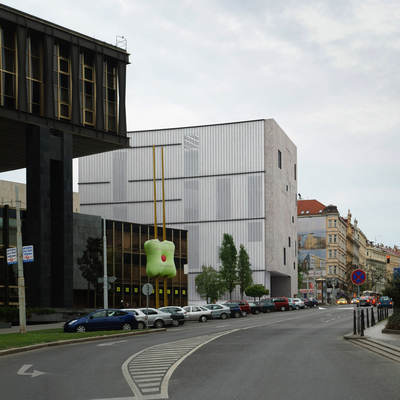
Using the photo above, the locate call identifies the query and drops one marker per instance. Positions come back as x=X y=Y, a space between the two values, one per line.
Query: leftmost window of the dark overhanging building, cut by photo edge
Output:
x=8 y=69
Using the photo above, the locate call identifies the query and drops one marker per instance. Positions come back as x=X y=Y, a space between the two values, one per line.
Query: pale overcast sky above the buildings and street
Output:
x=326 y=71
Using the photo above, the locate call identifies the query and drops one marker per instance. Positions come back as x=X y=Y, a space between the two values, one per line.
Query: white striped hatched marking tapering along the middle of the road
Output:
x=148 y=372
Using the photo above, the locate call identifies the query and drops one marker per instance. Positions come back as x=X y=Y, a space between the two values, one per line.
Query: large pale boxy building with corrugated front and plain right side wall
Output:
x=238 y=178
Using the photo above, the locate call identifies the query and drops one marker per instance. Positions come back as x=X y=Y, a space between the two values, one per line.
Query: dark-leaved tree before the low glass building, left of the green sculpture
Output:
x=91 y=263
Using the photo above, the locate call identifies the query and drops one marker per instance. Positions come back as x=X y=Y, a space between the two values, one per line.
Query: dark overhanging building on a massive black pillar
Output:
x=62 y=95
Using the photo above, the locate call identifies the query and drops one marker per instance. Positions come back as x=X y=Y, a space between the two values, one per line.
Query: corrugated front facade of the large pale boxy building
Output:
x=215 y=184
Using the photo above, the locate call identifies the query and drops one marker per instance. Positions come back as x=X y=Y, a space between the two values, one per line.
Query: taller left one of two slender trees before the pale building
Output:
x=228 y=257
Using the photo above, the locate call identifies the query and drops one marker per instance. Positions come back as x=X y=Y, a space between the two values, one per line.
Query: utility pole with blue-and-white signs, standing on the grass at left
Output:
x=21 y=280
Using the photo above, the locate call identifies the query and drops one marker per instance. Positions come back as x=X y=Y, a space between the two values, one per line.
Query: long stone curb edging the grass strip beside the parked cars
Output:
x=21 y=349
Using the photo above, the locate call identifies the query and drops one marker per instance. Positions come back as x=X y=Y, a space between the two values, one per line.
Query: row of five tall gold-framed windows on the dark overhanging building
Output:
x=62 y=76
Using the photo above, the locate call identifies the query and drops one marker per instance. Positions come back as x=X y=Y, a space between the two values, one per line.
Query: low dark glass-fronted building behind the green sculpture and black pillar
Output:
x=126 y=262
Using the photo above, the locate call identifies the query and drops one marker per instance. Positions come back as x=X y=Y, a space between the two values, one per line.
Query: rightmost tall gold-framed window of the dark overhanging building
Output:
x=110 y=97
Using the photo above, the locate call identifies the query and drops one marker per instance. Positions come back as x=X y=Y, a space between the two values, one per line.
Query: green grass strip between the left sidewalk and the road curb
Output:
x=12 y=340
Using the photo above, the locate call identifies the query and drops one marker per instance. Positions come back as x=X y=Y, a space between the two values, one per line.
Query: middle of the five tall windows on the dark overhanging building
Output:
x=63 y=98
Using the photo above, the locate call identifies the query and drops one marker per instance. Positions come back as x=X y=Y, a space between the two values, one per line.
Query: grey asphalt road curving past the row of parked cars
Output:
x=283 y=355
